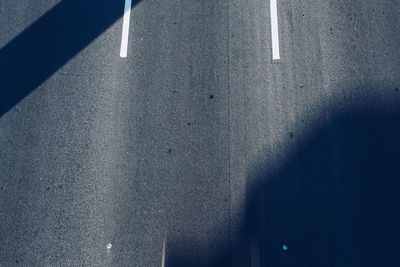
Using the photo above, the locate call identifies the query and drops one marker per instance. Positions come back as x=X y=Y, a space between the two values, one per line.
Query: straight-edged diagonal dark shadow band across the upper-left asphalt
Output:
x=50 y=42
